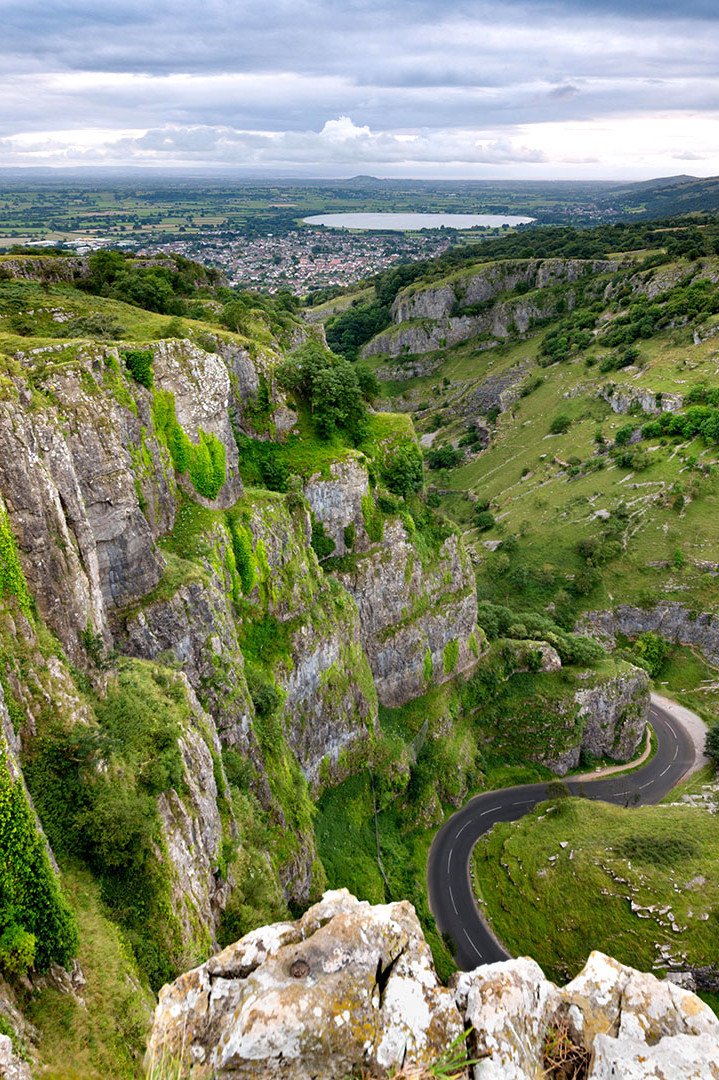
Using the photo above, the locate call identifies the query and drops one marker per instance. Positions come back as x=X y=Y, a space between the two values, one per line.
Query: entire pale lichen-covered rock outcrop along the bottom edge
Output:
x=351 y=988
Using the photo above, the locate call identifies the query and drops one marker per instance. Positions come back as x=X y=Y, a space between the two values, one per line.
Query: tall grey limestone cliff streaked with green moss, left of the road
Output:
x=126 y=558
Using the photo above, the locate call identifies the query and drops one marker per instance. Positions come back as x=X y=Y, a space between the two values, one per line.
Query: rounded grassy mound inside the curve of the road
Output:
x=557 y=903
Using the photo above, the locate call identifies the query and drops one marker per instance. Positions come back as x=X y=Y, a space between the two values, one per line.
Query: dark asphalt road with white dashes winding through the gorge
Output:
x=452 y=898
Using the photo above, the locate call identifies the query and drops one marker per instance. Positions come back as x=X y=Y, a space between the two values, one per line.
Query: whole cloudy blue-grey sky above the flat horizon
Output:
x=563 y=89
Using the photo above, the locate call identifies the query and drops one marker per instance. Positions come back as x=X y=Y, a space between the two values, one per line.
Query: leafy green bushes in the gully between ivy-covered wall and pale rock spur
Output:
x=108 y=817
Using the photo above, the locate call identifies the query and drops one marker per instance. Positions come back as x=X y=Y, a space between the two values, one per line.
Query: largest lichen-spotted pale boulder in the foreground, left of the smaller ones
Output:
x=346 y=987
